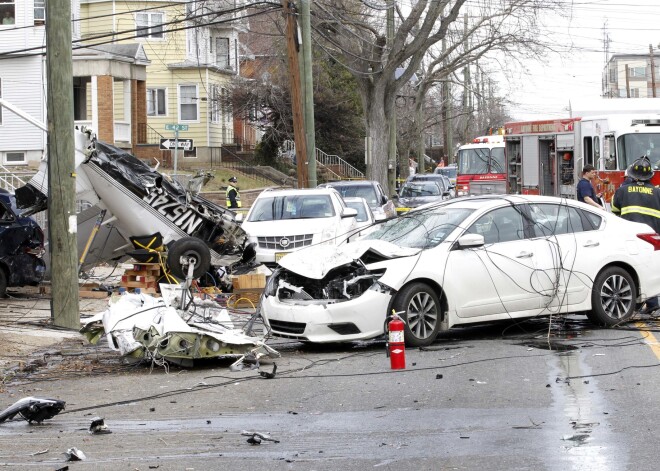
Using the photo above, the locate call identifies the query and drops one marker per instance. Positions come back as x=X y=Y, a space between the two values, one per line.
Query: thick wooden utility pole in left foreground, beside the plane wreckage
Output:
x=62 y=222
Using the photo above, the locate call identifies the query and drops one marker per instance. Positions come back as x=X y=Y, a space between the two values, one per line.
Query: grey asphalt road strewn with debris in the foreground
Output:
x=535 y=395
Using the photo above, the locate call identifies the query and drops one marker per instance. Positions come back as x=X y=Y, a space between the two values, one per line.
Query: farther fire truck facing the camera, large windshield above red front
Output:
x=481 y=167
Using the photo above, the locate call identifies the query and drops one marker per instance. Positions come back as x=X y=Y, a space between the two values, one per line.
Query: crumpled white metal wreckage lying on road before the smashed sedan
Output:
x=176 y=328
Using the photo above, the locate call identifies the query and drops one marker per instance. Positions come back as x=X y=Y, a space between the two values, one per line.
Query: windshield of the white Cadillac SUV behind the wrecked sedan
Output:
x=275 y=208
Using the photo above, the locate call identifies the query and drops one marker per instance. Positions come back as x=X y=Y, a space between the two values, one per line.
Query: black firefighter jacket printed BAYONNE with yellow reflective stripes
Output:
x=639 y=202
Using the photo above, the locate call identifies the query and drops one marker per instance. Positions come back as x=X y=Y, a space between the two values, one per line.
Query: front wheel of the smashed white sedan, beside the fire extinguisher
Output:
x=422 y=314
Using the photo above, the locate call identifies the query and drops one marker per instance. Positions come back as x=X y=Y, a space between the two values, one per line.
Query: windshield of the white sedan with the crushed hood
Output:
x=422 y=229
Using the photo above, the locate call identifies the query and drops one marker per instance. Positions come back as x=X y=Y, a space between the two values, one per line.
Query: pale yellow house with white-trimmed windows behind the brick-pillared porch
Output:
x=192 y=48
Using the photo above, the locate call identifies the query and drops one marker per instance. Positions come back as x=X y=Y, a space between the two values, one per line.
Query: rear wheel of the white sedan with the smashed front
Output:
x=613 y=297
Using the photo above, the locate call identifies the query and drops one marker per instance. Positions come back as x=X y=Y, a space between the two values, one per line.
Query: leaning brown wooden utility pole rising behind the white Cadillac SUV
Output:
x=296 y=99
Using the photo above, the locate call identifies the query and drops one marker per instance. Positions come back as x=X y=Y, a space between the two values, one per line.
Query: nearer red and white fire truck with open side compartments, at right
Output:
x=546 y=157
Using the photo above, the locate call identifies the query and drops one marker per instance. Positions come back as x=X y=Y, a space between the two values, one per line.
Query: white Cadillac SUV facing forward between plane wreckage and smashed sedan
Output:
x=281 y=221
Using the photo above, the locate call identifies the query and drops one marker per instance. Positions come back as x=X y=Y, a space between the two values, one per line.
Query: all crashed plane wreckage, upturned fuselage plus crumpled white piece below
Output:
x=196 y=237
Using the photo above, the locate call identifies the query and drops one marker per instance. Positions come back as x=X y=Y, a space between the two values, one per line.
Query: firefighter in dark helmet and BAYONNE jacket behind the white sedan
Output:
x=639 y=201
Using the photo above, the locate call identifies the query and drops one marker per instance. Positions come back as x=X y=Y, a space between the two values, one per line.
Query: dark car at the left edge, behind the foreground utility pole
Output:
x=21 y=246
